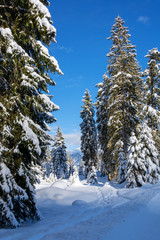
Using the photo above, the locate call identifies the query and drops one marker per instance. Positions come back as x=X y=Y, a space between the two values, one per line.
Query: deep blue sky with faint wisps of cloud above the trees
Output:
x=81 y=48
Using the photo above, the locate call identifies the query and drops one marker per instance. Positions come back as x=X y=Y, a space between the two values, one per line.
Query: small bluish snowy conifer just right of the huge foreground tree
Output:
x=59 y=156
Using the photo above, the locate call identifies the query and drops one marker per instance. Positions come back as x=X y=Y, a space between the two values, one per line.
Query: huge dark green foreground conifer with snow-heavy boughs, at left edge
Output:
x=25 y=111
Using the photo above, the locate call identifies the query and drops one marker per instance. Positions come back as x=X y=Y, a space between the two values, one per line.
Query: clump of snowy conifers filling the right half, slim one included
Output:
x=127 y=115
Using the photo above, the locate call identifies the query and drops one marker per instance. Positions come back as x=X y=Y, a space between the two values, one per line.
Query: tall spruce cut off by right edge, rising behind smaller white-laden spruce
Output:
x=152 y=93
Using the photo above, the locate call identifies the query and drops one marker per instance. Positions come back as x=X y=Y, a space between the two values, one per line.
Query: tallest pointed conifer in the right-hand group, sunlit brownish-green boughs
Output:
x=122 y=99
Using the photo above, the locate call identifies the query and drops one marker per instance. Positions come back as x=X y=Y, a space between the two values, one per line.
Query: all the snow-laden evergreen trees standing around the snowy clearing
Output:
x=120 y=132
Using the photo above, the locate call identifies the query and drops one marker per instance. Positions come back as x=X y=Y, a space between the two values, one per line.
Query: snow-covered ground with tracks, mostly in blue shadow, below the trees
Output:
x=101 y=212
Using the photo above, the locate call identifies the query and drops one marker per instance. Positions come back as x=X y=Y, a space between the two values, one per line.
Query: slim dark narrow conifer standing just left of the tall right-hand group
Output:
x=88 y=134
